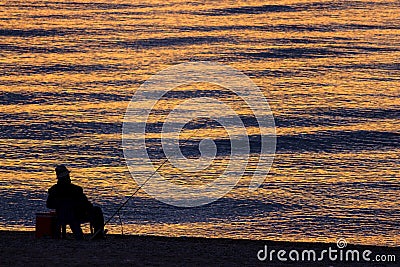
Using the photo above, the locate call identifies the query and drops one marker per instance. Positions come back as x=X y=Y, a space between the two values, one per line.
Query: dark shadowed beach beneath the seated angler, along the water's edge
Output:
x=22 y=248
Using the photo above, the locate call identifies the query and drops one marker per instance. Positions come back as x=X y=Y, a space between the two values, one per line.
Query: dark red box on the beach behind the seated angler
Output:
x=46 y=225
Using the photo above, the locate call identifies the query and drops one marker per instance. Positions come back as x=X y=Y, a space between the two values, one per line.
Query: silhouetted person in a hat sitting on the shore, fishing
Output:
x=72 y=206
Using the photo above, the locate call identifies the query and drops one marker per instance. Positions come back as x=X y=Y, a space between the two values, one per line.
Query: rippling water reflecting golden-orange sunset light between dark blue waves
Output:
x=329 y=69
